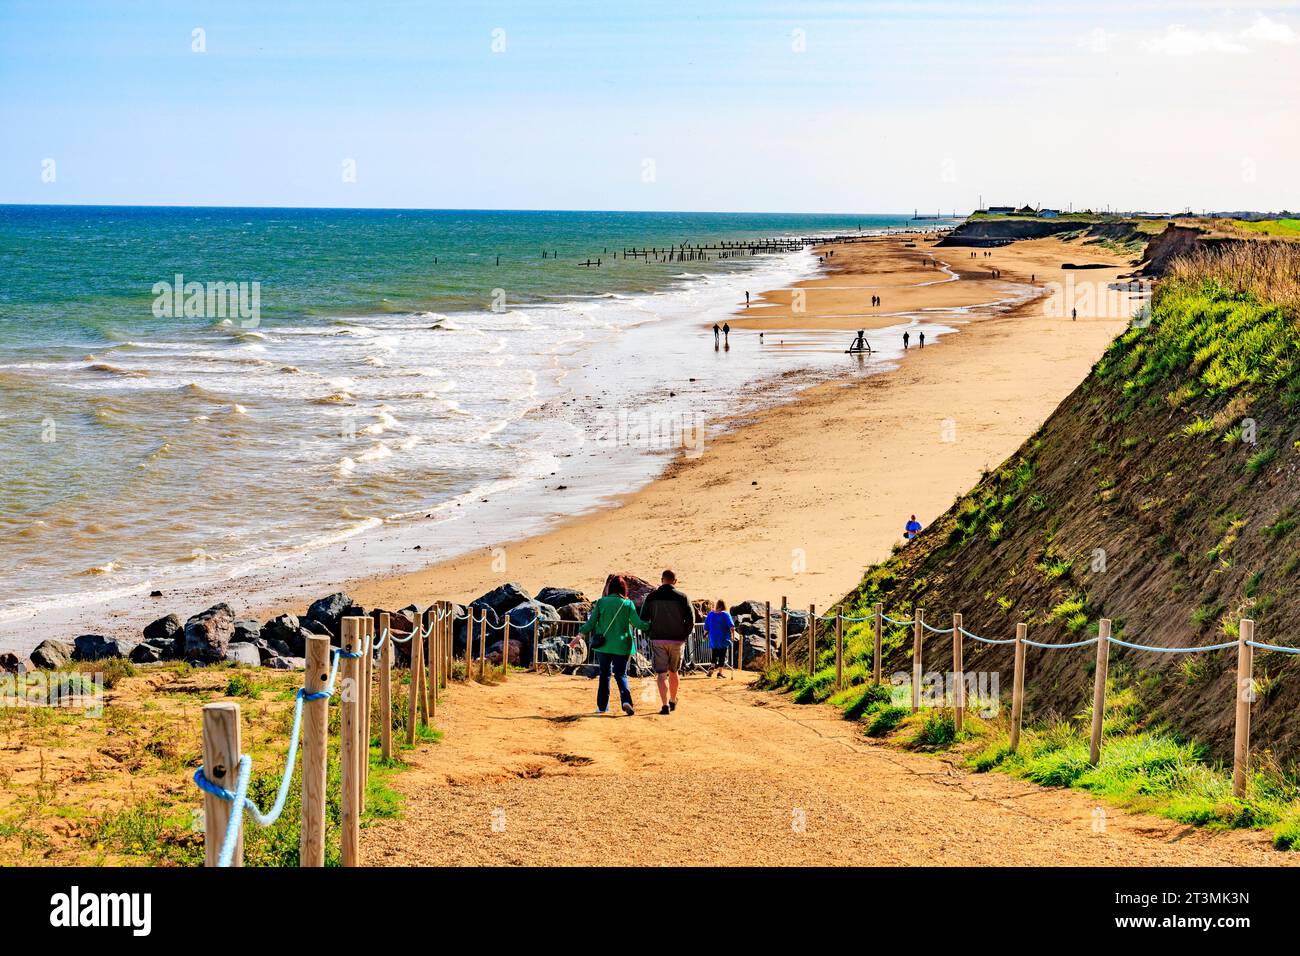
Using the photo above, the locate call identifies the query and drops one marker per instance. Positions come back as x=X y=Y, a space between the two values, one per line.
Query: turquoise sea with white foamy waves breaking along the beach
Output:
x=400 y=362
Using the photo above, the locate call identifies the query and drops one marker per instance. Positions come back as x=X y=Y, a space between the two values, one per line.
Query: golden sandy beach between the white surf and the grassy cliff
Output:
x=799 y=500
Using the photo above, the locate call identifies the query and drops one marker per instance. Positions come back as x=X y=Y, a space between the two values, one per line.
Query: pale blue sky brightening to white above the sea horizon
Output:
x=757 y=106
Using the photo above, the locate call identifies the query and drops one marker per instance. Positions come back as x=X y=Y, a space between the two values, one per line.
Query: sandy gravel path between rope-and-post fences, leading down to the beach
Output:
x=526 y=777
